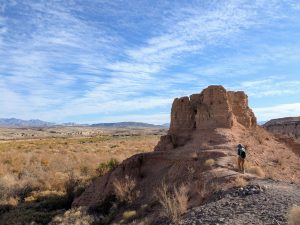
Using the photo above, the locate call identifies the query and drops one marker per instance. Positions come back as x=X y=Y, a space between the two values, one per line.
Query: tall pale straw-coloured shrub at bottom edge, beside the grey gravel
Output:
x=174 y=202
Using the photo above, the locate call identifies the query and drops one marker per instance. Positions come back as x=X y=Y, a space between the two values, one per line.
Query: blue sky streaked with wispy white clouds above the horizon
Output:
x=106 y=61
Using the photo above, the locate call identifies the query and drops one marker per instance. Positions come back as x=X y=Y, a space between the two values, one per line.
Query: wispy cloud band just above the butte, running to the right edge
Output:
x=247 y=63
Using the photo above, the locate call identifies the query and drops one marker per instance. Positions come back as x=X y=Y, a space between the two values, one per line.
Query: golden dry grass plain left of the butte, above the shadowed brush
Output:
x=47 y=162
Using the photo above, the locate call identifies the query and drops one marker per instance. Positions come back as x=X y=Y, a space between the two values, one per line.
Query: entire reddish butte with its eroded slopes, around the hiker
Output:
x=203 y=126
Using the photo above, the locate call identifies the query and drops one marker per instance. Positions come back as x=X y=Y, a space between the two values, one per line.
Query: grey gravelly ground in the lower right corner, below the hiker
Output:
x=263 y=202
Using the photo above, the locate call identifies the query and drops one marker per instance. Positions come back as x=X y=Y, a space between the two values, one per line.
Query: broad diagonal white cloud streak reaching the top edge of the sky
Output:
x=193 y=32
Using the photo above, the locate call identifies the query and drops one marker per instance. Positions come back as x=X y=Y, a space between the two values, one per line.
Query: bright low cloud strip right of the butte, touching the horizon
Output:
x=277 y=111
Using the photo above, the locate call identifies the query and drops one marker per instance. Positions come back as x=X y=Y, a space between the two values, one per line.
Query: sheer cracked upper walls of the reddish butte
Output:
x=213 y=108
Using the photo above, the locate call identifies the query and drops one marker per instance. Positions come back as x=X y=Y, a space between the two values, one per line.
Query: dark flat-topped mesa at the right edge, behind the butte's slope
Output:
x=289 y=127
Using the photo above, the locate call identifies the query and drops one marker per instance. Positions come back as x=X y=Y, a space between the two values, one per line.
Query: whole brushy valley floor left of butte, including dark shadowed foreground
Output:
x=52 y=171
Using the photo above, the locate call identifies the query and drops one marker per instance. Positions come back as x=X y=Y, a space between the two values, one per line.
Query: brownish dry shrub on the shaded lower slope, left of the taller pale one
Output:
x=125 y=189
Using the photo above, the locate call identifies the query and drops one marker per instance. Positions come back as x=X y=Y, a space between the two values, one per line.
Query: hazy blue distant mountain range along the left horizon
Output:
x=13 y=122
